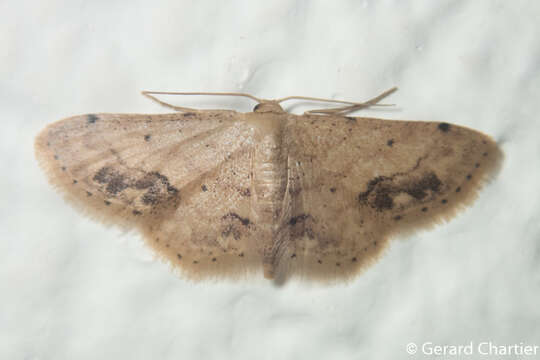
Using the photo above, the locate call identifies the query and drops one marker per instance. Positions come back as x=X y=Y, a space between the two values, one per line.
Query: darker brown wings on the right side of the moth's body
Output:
x=354 y=182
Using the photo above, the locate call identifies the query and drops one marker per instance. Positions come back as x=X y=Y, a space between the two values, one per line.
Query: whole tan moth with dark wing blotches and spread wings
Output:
x=220 y=193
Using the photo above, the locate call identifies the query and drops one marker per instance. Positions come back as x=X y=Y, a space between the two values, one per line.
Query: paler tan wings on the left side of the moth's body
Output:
x=170 y=175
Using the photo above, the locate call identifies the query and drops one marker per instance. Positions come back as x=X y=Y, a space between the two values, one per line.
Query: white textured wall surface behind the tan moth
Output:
x=72 y=289
